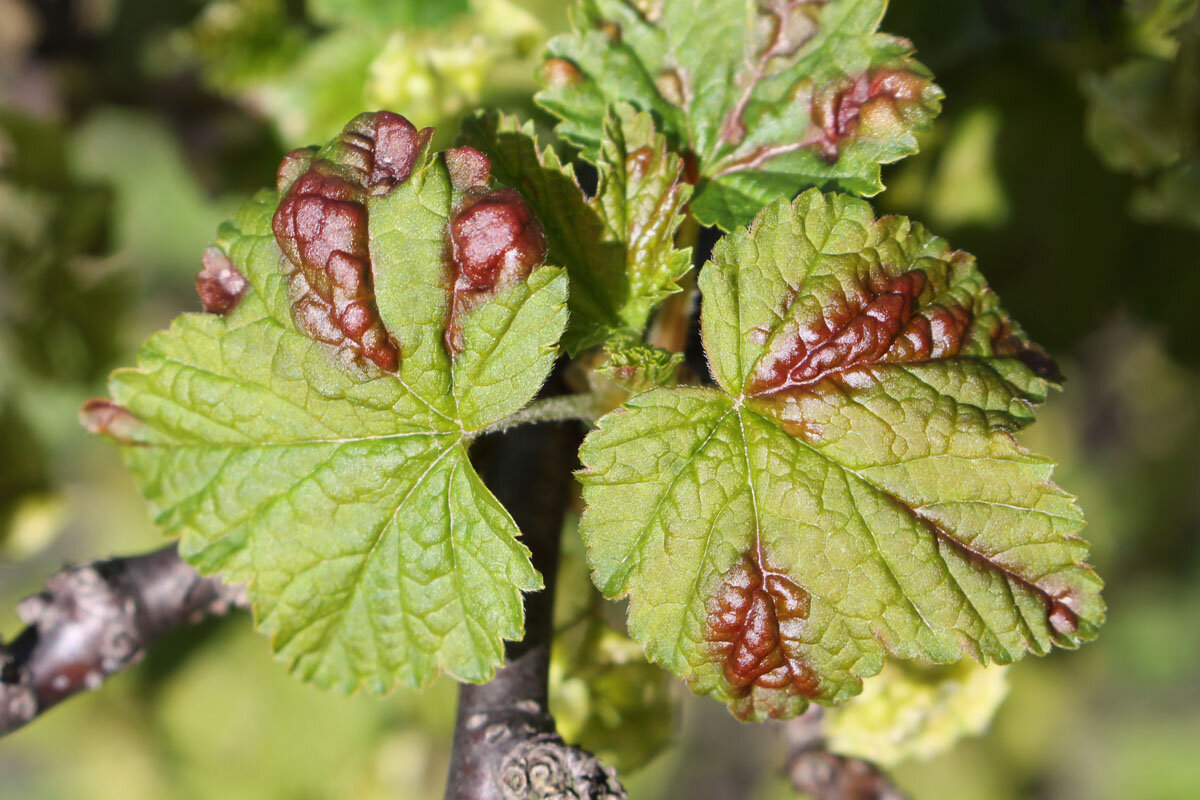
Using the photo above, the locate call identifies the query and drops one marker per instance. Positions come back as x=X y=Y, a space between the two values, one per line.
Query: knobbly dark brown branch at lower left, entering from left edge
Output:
x=95 y=621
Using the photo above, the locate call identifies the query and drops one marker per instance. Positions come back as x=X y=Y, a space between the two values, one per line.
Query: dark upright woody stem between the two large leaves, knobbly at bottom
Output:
x=506 y=747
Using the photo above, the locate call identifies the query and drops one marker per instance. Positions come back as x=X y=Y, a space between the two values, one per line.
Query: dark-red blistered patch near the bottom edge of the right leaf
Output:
x=754 y=627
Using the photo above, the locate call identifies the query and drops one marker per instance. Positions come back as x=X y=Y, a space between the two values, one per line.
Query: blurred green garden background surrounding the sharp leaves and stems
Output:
x=1067 y=160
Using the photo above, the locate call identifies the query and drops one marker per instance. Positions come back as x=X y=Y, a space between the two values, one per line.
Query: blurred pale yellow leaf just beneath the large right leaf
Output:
x=916 y=712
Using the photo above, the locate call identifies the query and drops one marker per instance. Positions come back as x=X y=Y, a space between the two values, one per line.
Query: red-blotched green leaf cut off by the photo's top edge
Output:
x=808 y=95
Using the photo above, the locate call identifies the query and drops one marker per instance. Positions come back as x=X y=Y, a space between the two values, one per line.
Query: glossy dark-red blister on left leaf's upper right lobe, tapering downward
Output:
x=495 y=243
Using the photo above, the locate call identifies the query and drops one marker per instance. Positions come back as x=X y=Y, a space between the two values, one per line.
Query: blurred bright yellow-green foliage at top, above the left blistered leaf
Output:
x=310 y=73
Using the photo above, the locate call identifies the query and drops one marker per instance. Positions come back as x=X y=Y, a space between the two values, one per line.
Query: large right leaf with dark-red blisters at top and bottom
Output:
x=853 y=489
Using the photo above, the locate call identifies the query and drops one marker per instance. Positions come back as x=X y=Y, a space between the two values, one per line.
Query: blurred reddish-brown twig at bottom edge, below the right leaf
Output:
x=825 y=775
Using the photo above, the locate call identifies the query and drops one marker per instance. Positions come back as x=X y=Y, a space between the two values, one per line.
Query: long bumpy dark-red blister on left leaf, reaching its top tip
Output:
x=321 y=225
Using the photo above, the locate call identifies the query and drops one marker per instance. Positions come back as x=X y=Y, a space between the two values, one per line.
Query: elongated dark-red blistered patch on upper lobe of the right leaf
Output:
x=879 y=323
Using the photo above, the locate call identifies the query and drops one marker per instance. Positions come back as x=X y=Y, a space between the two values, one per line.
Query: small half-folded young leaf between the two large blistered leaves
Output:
x=619 y=246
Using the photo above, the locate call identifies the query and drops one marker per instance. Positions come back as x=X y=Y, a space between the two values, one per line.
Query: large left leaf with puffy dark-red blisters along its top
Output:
x=329 y=470
